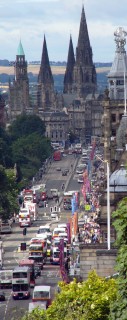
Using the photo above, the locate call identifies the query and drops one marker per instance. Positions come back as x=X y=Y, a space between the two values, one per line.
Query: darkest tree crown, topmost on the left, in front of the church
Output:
x=25 y=125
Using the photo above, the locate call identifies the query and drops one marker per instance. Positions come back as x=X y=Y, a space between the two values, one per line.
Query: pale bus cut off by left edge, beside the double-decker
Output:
x=6 y=279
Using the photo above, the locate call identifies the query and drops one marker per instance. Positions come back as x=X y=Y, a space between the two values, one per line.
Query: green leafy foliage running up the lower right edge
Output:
x=119 y=307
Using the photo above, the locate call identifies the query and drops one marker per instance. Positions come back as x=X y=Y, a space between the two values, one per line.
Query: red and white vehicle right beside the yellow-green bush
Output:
x=42 y=293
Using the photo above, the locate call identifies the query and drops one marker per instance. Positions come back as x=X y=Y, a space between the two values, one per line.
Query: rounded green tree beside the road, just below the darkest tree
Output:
x=29 y=152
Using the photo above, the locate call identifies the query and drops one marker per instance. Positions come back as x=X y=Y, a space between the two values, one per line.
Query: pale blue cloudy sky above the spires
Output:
x=29 y=20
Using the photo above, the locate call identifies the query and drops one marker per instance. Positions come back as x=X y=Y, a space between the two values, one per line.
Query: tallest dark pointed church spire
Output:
x=84 y=74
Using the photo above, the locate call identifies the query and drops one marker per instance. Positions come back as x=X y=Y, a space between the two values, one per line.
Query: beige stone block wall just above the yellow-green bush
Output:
x=98 y=258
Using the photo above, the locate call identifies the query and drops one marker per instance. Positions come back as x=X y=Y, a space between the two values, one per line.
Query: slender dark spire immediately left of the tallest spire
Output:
x=68 y=78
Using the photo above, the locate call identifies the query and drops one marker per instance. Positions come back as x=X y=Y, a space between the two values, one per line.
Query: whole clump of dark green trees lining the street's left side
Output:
x=25 y=148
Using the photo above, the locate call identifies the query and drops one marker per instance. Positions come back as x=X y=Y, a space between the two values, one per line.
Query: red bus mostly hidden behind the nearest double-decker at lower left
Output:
x=31 y=265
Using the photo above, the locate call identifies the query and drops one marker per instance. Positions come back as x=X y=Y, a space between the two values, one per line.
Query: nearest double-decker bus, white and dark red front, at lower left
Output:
x=21 y=283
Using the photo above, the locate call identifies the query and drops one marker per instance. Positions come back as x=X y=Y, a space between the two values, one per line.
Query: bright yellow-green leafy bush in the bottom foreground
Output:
x=89 y=300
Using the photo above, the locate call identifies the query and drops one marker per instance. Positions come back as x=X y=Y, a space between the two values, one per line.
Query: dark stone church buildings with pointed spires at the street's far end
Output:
x=79 y=106
